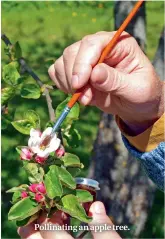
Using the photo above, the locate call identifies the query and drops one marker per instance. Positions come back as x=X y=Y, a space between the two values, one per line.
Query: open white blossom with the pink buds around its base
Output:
x=38 y=149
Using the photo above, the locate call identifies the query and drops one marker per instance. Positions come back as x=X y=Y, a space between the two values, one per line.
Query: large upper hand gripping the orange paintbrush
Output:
x=125 y=84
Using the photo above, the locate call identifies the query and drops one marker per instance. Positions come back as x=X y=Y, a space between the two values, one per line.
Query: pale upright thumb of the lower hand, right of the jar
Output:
x=100 y=219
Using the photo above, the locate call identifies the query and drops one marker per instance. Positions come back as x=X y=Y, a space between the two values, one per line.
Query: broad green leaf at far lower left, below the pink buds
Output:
x=23 y=209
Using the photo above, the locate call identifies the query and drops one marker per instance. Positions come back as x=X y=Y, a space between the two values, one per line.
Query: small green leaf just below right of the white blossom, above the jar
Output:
x=71 y=160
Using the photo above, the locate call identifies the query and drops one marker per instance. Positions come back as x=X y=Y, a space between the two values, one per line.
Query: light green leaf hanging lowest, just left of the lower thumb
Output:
x=71 y=205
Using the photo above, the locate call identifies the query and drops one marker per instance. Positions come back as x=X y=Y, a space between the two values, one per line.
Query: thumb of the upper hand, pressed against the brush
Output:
x=107 y=79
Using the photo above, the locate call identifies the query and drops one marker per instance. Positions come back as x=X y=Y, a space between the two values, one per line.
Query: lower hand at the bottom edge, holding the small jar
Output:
x=99 y=217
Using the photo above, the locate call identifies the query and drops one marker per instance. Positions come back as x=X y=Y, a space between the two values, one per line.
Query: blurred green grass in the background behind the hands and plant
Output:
x=43 y=30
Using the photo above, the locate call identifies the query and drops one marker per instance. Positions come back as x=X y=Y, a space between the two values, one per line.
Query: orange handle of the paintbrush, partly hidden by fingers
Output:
x=109 y=47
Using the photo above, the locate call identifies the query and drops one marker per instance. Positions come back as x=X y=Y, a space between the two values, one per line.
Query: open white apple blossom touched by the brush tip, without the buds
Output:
x=38 y=146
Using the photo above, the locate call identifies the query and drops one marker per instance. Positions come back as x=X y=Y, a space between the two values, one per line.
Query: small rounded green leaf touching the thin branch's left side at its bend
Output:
x=30 y=91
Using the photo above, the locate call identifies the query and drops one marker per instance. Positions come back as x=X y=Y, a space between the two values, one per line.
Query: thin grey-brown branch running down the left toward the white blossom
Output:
x=25 y=66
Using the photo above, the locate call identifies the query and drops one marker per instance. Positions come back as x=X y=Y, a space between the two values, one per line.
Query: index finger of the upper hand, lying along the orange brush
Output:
x=87 y=57
